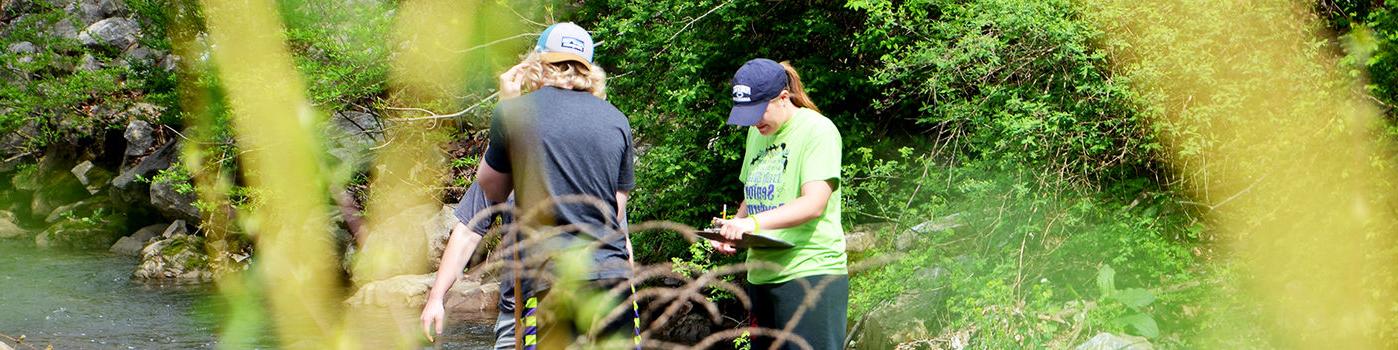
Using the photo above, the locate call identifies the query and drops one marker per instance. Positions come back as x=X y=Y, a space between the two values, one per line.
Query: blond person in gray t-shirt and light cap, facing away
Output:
x=560 y=143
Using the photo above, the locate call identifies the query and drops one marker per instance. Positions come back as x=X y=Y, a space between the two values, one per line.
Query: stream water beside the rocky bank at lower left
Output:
x=87 y=300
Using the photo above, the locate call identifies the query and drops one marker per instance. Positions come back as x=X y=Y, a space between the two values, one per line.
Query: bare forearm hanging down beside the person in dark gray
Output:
x=459 y=248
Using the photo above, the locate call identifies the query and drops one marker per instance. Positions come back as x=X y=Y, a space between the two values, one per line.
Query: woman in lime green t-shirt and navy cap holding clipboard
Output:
x=792 y=191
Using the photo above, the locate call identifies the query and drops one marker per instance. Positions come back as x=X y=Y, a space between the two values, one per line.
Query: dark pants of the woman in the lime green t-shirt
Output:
x=821 y=324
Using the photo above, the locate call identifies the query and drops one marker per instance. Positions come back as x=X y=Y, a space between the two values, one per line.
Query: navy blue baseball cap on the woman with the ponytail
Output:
x=757 y=83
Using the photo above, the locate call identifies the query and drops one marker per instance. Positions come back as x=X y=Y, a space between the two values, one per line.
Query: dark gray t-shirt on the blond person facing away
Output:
x=563 y=143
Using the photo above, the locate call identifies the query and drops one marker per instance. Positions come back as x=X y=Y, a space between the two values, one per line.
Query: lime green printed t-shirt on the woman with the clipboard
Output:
x=806 y=149
